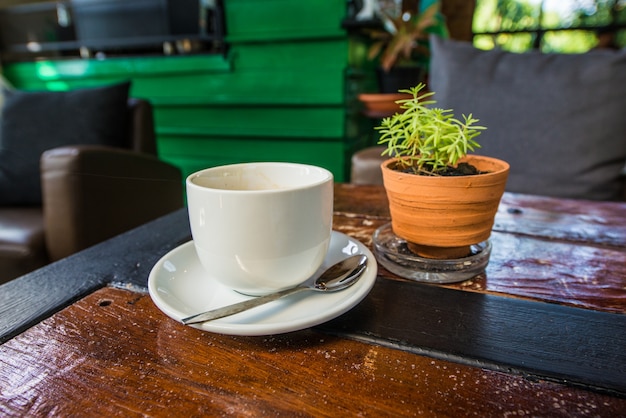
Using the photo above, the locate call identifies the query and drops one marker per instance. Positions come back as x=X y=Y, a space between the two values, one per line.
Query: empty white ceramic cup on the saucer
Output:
x=261 y=227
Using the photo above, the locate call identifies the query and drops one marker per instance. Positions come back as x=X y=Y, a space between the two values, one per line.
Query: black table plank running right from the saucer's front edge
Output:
x=567 y=344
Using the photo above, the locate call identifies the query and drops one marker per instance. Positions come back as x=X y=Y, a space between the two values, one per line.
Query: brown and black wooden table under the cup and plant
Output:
x=541 y=333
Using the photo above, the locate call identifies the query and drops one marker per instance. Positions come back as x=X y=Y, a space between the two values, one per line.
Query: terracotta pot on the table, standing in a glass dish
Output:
x=442 y=216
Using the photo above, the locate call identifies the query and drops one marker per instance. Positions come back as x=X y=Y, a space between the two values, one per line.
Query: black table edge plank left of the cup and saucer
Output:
x=125 y=260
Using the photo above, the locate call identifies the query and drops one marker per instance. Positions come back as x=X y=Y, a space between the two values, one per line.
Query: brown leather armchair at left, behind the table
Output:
x=90 y=193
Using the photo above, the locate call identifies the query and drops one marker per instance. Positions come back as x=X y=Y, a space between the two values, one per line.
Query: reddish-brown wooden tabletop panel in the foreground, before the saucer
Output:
x=114 y=354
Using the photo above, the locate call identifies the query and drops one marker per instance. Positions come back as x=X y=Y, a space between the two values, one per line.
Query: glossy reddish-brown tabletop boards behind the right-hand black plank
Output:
x=564 y=251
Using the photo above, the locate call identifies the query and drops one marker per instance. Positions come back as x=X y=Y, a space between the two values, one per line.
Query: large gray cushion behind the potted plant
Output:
x=558 y=119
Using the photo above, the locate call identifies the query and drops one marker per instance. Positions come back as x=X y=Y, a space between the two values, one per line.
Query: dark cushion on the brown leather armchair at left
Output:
x=33 y=122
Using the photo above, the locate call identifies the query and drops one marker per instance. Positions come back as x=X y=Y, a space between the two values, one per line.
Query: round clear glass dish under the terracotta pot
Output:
x=393 y=253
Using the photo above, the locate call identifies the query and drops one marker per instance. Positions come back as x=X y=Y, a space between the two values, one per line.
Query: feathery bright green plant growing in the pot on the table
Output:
x=427 y=139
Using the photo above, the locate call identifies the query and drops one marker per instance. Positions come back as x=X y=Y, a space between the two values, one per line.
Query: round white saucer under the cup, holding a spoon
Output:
x=180 y=287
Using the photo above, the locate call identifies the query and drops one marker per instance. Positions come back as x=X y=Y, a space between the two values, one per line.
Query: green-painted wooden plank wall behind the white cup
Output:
x=283 y=92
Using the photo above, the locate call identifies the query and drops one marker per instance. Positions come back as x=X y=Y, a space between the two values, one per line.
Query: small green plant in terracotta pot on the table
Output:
x=442 y=199
